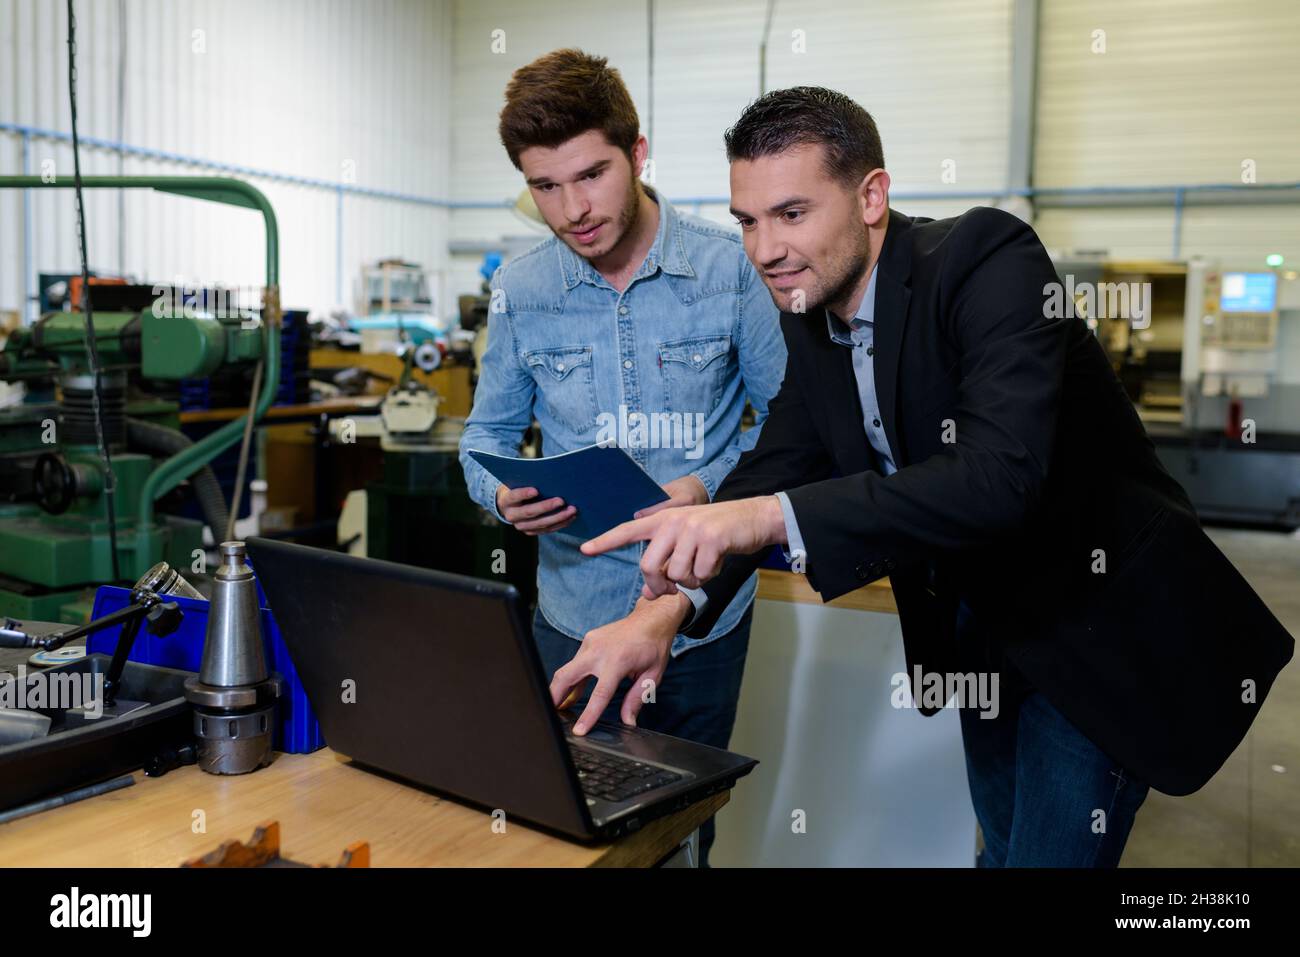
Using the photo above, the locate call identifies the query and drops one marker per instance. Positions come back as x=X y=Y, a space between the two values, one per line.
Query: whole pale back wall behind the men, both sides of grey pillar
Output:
x=1185 y=93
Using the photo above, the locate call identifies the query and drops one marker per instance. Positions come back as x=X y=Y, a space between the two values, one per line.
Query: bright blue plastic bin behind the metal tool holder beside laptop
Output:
x=298 y=731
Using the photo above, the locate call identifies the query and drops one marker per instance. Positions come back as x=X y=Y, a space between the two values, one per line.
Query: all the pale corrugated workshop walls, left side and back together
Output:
x=408 y=93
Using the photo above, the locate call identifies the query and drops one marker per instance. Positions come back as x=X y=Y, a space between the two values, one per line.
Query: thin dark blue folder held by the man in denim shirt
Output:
x=604 y=482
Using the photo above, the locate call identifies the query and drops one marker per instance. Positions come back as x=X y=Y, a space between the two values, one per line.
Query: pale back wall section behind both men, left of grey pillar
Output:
x=934 y=73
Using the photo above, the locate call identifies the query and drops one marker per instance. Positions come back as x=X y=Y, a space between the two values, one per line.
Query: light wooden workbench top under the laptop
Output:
x=323 y=804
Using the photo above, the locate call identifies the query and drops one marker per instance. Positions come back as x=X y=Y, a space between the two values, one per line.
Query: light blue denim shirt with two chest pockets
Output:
x=695 y=334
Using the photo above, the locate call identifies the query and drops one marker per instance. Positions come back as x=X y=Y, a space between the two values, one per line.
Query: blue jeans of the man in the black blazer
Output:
x=1046 y=796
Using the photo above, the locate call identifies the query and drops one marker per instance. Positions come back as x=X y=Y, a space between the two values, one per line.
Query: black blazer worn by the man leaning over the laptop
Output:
x=1024 y=470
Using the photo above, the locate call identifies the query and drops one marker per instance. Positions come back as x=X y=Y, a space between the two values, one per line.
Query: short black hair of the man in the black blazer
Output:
x=805 y=115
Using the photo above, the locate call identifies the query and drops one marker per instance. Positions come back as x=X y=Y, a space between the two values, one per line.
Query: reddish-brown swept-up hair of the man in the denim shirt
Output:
x=562 y=96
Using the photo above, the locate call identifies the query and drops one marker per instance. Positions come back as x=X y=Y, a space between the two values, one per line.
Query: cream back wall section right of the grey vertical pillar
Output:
x=1186 y=92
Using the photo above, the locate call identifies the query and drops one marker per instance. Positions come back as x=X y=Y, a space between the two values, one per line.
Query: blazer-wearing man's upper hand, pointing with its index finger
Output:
x=687 y=545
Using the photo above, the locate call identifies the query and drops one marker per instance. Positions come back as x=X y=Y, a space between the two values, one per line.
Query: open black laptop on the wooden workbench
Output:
x=448 y=692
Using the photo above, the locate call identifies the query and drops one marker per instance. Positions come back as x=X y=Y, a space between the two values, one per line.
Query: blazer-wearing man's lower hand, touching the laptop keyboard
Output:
x=635 y=648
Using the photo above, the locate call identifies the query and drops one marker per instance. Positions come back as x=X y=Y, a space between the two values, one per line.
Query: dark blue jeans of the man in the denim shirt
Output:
x=695 y=700
